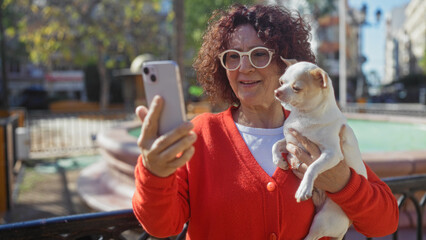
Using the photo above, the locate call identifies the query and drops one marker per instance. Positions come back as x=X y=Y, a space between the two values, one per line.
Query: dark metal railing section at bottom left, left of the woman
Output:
x=121 y=224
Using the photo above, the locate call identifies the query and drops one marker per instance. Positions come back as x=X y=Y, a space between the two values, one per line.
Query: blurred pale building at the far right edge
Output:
x=404 y=77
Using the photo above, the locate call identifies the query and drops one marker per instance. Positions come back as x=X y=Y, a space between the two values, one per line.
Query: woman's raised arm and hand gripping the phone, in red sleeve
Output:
x=160 y=201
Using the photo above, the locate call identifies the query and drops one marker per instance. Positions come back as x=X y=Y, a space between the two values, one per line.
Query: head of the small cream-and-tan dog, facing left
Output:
x=304 y=86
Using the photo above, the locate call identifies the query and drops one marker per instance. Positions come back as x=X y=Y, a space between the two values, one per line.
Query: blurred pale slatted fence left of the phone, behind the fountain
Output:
x=59 y=134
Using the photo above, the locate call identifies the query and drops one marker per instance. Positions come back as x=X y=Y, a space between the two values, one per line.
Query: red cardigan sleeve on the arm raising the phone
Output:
x=160 y=204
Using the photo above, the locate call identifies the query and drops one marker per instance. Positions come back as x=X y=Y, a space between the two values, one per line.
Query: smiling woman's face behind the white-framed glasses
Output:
x=252 y=86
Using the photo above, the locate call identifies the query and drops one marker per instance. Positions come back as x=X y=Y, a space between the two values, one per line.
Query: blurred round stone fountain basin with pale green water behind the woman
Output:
x=109 y=183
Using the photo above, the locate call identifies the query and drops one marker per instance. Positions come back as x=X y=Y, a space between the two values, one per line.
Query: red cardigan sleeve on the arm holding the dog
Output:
x=370 y=204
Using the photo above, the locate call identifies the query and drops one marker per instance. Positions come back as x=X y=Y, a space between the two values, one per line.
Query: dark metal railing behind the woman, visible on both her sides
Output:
x=115 y=225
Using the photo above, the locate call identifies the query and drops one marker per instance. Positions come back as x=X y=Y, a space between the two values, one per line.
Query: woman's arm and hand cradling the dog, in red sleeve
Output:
x=369 y=203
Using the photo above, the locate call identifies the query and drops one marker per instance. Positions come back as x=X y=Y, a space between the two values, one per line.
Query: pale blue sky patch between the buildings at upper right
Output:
x=374 y=34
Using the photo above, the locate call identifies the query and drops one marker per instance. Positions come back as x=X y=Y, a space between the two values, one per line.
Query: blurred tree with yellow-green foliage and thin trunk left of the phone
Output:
x=109 y=32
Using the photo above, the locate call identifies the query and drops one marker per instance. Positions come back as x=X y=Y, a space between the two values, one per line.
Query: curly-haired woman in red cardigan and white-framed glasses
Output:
x=216 y=173
